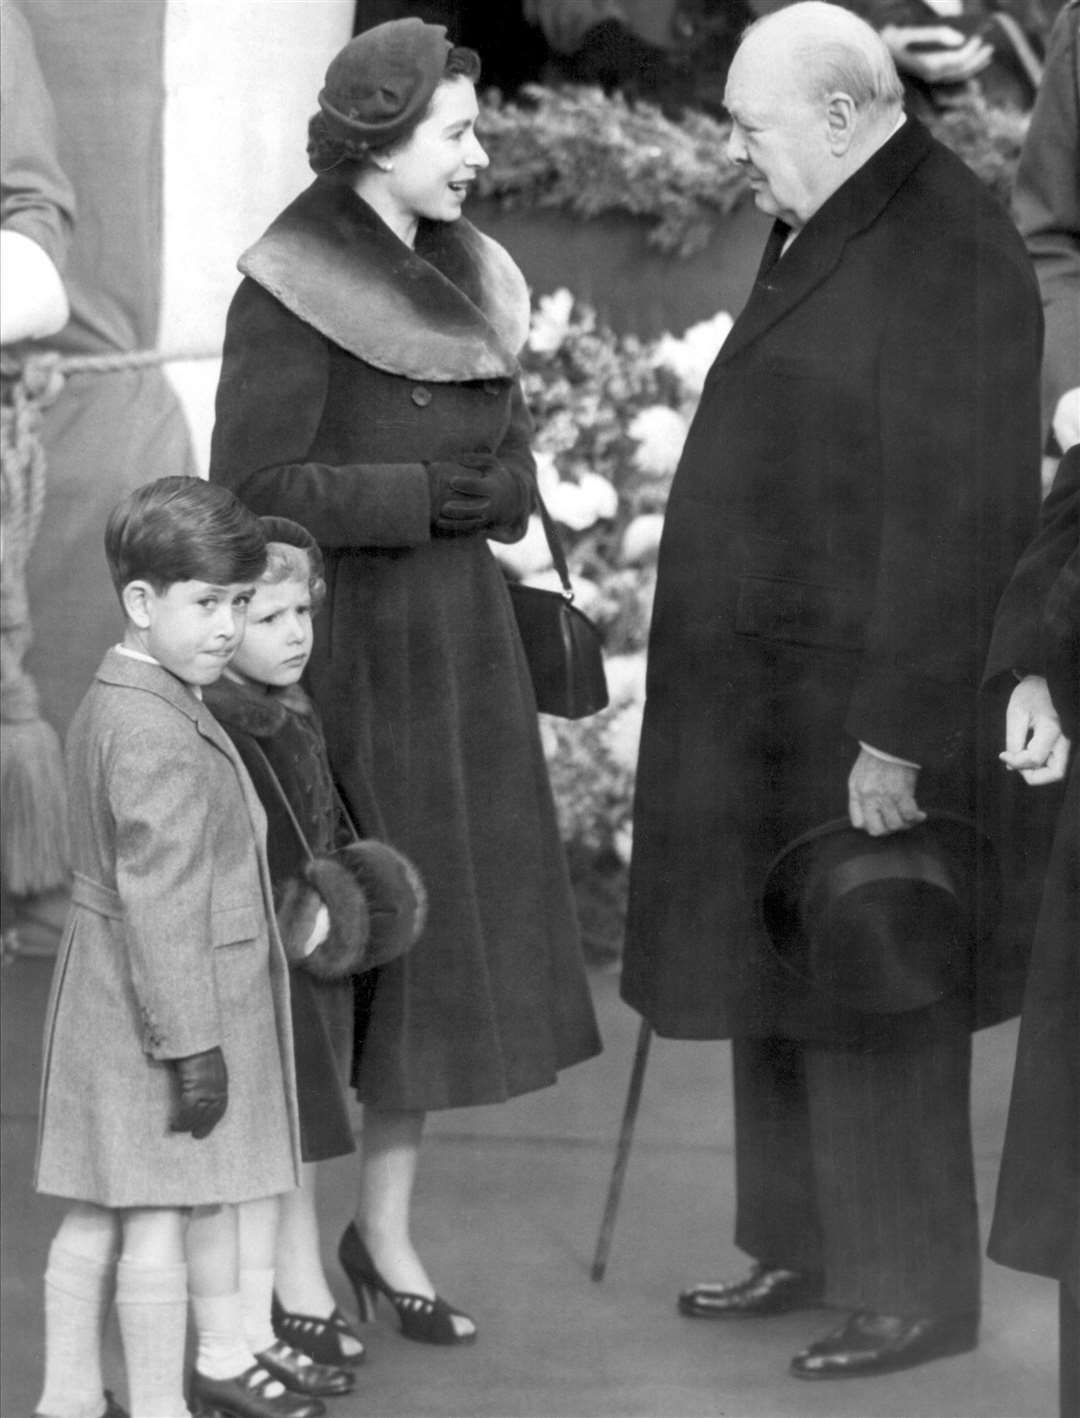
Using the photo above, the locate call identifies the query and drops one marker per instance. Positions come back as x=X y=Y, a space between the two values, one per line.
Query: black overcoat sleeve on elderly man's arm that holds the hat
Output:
x=957 y=384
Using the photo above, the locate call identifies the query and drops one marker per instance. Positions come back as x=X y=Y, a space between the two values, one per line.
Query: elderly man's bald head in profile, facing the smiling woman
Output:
x=813 y=94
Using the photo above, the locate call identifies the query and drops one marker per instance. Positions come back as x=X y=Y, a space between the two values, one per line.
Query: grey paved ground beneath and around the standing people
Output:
x=508 y=1213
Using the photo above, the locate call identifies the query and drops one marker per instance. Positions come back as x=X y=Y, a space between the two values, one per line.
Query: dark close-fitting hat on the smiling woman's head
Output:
x=381 y=84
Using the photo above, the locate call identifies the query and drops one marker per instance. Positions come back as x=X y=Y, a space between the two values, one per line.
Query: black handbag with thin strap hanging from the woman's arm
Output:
x=562 y=644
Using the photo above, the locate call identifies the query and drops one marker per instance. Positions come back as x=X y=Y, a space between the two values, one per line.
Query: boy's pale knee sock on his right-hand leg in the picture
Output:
x=152 y=1314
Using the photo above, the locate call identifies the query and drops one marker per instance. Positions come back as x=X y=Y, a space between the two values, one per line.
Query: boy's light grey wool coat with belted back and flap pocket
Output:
x=171 y=949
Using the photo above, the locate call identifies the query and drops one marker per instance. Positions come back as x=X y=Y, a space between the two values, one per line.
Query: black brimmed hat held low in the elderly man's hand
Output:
x=884 y=924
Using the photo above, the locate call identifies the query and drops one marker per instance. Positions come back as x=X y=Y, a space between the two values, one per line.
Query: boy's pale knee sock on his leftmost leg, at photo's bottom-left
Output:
x=79 y=1293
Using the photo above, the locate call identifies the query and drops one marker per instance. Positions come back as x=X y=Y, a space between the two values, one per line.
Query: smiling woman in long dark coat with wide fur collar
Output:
x=371 y=392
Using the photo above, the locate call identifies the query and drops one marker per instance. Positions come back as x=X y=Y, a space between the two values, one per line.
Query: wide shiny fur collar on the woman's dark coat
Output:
x=456 y=308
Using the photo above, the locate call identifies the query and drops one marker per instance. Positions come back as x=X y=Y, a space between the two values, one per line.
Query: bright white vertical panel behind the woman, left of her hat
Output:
x=242 y=80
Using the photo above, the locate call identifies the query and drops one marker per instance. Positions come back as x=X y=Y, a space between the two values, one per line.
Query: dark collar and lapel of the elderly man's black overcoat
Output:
x=784 y=283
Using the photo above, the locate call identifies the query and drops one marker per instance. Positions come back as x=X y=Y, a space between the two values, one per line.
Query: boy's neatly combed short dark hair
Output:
x=184 y=530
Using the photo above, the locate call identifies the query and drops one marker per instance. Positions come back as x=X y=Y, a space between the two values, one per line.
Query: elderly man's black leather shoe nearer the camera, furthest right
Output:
x=872 y=1344
